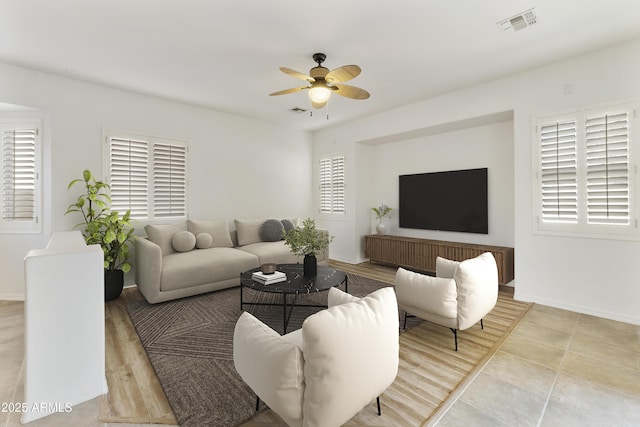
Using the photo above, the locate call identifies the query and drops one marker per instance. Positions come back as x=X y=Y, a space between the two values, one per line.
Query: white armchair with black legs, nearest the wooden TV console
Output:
x=460 y=295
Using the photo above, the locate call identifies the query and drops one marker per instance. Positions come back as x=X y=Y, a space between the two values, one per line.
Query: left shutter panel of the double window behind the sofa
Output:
x=129 y=176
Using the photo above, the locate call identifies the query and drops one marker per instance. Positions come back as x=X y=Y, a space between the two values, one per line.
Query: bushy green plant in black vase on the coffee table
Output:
x=307 y=241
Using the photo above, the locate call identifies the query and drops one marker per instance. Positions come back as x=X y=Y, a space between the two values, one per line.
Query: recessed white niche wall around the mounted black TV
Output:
x=489 y=146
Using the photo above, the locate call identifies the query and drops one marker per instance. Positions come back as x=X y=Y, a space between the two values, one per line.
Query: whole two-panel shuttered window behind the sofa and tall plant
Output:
x=148 y=176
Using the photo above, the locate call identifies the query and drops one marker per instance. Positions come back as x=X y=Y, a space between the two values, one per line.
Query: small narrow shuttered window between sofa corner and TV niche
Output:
x=332 y=185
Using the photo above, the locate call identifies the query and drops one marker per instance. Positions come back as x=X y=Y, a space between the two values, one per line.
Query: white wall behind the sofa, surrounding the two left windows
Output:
x=238 y=167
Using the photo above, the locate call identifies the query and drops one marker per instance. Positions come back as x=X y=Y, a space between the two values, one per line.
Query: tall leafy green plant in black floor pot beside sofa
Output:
x=106 y=228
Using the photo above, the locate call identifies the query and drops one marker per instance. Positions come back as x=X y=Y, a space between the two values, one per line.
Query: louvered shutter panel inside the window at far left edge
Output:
x=19 y=175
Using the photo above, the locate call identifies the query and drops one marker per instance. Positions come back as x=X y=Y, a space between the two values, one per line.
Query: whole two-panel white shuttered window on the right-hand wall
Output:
x=586 y=178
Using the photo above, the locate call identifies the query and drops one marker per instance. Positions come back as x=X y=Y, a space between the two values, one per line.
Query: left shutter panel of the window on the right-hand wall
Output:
x=558 y=172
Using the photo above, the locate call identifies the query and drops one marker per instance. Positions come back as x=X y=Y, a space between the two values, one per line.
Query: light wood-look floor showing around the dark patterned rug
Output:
x=427 y=375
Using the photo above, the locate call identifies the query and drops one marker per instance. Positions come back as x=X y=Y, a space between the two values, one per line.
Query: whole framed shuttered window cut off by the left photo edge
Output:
x=20 y=168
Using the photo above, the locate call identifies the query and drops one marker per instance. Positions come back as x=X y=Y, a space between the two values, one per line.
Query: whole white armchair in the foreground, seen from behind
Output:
x=323 y=374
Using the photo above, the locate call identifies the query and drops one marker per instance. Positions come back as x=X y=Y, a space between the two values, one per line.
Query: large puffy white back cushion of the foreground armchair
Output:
x=350 y=357
